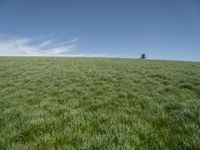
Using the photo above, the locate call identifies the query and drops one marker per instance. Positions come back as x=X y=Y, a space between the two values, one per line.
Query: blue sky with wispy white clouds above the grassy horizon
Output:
x=162 y=29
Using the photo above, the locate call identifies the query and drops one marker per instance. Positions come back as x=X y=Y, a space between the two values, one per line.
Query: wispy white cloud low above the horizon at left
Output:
x=26 y=46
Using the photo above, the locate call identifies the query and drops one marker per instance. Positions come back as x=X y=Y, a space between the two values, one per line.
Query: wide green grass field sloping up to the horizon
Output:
x=98 y=103
